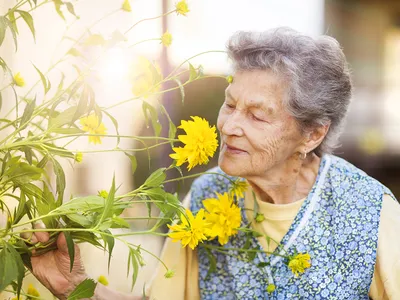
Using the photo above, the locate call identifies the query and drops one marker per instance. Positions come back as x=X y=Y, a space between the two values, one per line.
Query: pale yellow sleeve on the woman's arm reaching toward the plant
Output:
x=183 y=261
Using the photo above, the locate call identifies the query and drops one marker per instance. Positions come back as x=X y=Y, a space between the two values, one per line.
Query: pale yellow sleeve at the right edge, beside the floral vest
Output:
x=385 y=283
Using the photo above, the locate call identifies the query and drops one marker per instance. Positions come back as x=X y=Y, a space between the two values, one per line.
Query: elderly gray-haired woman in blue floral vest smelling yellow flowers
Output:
x=279 y=124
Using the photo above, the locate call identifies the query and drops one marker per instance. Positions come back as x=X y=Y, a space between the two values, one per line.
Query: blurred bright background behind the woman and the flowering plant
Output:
x=368 y=30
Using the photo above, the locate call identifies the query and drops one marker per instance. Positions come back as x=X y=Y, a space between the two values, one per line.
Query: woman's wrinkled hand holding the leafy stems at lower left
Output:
x=52 y=268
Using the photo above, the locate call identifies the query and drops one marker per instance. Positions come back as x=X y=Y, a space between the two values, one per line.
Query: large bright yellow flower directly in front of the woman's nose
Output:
x=200 y=143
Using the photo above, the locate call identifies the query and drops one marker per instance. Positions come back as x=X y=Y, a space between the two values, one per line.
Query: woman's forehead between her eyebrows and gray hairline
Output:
x=257 y=88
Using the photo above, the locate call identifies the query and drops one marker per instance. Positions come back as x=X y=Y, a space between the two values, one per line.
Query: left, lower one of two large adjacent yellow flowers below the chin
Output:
x=191 y=231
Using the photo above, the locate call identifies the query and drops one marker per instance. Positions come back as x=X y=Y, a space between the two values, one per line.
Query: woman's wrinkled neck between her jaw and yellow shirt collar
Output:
x=288 y=182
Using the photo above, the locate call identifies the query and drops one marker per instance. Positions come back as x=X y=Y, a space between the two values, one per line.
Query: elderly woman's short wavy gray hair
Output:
x=316 y=71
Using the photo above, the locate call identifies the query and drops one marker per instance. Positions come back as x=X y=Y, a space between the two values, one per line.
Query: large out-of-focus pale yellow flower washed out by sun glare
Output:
x=146 y=78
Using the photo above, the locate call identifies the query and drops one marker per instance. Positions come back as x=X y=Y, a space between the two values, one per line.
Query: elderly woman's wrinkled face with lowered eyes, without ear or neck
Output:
x=257 y=133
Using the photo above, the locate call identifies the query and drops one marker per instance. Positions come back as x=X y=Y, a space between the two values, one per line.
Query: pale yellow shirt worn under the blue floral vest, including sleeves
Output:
x=278 y=218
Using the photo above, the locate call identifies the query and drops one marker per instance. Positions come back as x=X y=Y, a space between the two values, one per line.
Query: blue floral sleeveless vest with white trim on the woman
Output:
x=337 y=225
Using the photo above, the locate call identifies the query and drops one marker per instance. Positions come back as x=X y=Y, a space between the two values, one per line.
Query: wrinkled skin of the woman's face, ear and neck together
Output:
x=262 y=142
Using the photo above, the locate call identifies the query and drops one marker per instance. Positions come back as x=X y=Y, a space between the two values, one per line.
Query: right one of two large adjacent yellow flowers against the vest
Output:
x=224 y=217
